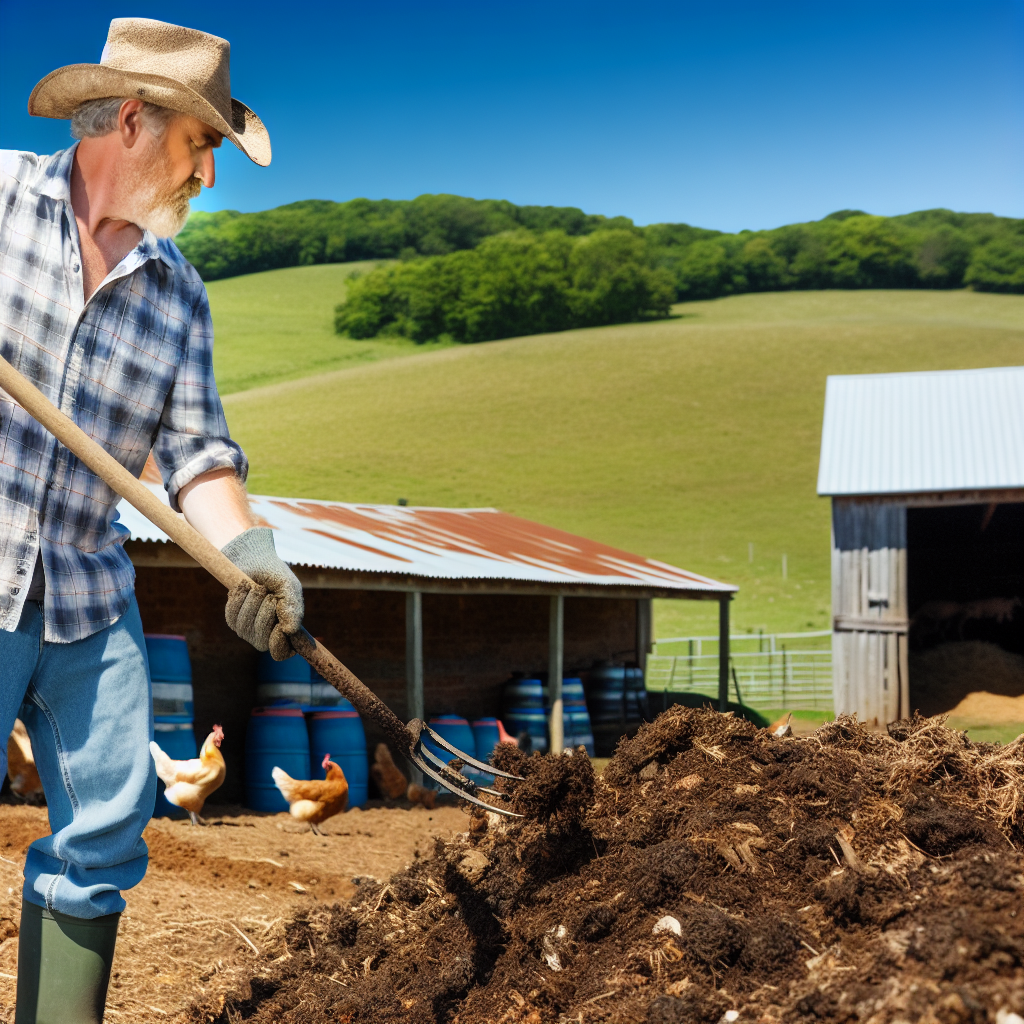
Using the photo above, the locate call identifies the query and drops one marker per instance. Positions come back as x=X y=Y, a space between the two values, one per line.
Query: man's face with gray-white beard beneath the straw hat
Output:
x=167 y=173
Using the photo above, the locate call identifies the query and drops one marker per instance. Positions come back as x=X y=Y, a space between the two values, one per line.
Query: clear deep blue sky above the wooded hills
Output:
x=727 y=115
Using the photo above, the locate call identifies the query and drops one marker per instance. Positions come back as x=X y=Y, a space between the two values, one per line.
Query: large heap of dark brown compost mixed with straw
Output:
x=713 y=873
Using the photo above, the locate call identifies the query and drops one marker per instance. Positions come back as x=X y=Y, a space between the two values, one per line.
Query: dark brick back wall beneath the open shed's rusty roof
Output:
x=472 y=646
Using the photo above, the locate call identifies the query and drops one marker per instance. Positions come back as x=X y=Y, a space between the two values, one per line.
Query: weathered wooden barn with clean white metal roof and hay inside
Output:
x=926 y=476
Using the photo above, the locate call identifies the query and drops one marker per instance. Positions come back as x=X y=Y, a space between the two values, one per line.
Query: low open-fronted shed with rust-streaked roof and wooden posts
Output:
x=433 y=609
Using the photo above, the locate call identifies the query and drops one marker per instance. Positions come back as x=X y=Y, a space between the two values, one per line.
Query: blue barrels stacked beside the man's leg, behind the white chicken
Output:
x=174 y=707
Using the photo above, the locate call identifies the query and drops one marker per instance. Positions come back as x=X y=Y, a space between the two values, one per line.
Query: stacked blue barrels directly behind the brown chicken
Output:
x=301 y=718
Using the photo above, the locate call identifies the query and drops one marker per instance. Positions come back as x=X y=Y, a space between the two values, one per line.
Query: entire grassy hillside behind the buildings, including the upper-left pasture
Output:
x=685 y=440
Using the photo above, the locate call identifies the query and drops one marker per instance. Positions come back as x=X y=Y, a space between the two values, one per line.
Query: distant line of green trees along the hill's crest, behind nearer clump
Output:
x=848 y=249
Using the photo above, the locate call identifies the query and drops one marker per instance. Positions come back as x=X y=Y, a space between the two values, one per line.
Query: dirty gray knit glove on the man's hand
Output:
x=267 y=614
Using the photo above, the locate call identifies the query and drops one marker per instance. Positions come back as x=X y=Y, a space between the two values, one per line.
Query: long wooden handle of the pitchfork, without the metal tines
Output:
x=189 y=539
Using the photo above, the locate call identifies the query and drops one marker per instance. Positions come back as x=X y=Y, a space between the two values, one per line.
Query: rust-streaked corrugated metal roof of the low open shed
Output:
x=440 y=544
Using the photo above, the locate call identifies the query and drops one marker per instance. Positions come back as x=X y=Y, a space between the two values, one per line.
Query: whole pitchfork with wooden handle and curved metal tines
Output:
x=407 y=739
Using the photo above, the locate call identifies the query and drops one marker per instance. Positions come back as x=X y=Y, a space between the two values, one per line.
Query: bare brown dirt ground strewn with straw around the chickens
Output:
x=211 y=892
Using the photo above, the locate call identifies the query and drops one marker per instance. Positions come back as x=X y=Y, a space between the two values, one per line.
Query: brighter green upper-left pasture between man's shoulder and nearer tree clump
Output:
x=280 y=325
